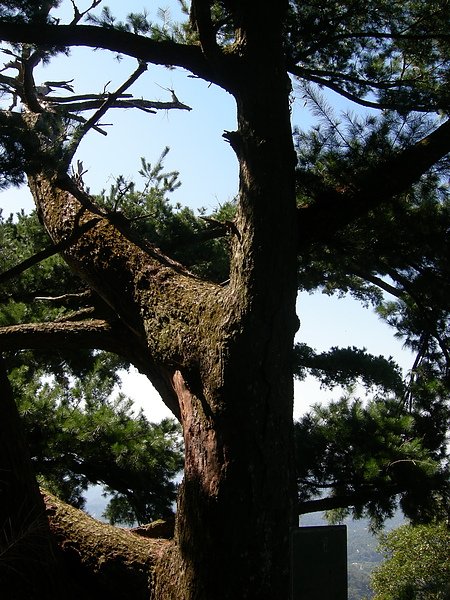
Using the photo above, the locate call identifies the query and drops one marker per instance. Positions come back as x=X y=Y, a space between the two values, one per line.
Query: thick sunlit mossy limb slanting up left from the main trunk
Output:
x=153 y=296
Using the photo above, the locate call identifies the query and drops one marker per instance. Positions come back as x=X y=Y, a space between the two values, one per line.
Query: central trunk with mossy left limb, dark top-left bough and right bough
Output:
x=220 y=356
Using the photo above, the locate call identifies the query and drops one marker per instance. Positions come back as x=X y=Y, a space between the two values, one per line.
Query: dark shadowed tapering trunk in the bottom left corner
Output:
x=27 y=565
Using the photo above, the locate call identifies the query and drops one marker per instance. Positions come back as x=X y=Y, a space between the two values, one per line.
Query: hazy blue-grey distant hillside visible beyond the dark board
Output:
x=362 y=556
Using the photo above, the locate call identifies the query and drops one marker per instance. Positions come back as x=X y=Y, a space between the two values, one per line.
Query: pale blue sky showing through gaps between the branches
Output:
x=208 y=172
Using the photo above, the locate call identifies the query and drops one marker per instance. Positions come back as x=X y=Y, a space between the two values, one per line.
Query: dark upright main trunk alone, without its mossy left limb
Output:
x=236 y=505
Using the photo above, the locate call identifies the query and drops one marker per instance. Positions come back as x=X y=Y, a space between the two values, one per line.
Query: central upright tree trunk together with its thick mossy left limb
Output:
x=227 y=350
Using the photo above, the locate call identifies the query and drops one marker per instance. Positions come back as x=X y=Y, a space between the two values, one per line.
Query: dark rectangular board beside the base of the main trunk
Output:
x=319 y=563
